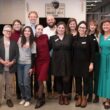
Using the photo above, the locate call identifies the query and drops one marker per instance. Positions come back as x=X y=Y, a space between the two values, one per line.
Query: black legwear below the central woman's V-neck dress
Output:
x=63 y=84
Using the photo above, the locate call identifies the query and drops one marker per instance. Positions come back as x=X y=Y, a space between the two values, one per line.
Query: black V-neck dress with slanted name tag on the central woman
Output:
x=62 y=55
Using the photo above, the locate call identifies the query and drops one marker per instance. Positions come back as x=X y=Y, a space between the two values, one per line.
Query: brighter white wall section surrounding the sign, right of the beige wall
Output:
x=73 y=8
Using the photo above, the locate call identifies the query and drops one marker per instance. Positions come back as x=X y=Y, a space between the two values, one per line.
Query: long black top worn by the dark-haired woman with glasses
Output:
x=83 y=54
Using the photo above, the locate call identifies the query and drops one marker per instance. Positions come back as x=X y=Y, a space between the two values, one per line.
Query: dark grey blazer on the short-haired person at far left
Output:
x=13 y=55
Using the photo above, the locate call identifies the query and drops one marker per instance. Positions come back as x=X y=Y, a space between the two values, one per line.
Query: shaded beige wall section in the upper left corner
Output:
x=12 y=9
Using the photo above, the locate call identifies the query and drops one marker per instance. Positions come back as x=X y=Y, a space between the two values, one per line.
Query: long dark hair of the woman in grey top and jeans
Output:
x=23 y=38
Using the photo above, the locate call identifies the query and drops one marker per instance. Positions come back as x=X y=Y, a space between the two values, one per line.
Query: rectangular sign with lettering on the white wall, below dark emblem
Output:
x=50 y=10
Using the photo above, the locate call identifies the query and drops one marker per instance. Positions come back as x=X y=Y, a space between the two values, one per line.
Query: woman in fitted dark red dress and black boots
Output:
x=42 y=63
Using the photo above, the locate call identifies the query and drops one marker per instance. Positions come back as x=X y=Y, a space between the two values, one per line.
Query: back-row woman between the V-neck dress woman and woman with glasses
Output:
x=72 y=30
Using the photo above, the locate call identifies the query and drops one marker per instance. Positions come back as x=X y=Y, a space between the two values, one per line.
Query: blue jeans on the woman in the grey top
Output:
x=24 y=80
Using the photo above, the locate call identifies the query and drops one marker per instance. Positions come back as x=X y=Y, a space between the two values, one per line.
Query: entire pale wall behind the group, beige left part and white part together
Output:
x=18 y=9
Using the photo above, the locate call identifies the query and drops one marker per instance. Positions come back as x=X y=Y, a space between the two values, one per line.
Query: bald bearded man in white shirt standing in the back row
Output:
x=50 y=30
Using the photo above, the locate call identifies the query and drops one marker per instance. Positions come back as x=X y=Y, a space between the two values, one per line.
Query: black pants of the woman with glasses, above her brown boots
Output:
x=80 y=88
